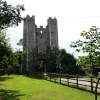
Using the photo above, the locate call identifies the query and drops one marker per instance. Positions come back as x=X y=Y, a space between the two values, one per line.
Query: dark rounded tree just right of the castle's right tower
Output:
x=68 y=64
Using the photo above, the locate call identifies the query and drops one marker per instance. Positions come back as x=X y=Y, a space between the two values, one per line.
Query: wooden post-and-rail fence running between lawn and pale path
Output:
x=80 y=82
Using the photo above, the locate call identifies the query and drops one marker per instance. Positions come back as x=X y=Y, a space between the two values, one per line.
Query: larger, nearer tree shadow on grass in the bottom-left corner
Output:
x=10 y=95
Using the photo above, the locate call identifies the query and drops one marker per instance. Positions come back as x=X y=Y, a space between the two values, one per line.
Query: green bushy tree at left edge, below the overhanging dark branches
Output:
x=8 y=58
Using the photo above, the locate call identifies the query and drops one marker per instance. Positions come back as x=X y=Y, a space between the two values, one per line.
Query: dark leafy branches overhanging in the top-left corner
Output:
x=10 y=15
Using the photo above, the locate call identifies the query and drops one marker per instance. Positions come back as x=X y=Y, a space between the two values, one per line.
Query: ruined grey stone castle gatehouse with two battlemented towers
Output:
x=37 y=40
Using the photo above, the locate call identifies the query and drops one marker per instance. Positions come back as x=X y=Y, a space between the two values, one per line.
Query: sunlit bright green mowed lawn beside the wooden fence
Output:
x=16 y=87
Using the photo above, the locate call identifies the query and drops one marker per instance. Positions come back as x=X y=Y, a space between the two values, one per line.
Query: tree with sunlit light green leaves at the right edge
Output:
x=90 y=45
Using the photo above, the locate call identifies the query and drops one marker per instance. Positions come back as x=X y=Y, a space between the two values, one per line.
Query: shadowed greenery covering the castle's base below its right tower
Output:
x=47 y=62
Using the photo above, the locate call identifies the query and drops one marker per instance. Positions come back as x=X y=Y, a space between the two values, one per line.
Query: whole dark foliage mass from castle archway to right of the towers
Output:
x=58 y=61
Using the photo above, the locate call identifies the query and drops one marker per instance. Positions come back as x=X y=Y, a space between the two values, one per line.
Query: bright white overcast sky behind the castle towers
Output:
x=73 y=17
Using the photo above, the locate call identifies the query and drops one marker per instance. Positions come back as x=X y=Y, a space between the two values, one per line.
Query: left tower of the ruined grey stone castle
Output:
x=29 y=41
